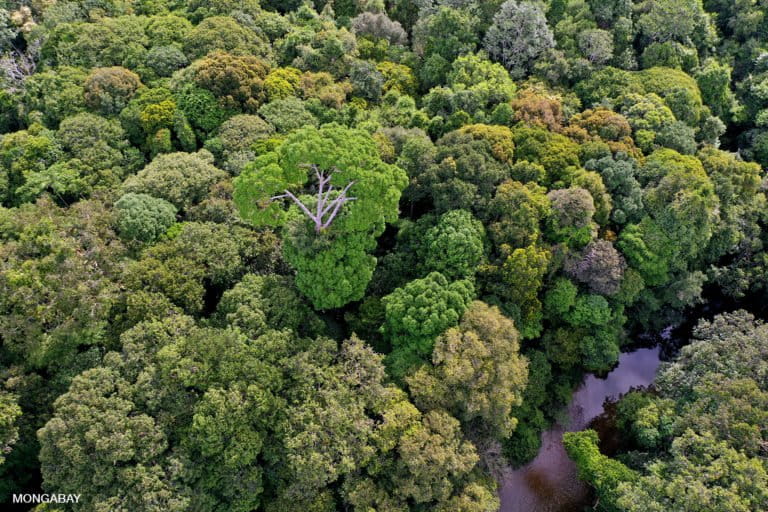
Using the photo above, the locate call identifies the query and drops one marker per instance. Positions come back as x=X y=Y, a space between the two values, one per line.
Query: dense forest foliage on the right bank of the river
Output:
x=700 y=441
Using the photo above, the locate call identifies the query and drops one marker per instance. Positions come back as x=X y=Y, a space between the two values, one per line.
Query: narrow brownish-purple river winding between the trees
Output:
x=549 y=483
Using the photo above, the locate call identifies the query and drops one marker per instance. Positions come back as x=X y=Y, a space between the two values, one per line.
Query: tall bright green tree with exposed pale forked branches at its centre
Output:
x=332 y=193
